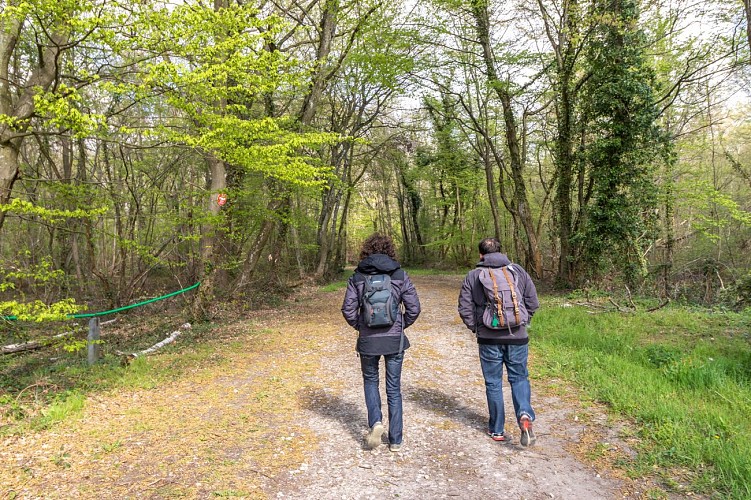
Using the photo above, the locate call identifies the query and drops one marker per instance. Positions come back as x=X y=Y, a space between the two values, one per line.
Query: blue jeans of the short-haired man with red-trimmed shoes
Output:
x=492 y=359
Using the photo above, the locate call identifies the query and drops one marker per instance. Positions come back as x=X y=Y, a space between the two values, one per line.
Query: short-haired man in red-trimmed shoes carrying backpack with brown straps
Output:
x=499 y=345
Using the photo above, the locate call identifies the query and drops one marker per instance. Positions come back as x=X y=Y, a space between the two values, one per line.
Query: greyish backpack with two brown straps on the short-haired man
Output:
x=503 y=306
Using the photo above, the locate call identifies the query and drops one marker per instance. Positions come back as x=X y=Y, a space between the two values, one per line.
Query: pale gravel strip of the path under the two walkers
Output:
x=445 y=452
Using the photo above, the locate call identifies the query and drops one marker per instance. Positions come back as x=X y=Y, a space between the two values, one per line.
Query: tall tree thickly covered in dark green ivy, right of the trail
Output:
x=625 y=147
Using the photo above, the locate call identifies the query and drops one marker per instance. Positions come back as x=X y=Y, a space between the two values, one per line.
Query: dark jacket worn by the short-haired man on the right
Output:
x=472 y=302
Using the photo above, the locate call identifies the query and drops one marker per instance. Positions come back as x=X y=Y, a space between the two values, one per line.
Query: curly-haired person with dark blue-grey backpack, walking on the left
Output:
x=380 y=303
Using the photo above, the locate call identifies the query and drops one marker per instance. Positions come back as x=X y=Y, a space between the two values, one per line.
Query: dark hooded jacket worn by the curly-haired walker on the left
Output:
x=386 y=340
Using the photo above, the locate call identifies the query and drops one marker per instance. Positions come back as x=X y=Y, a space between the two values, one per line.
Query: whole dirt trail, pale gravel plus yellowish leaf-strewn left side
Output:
x=280 y=414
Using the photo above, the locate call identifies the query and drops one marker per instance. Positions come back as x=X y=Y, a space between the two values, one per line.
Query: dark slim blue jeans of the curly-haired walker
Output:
x=369 y=366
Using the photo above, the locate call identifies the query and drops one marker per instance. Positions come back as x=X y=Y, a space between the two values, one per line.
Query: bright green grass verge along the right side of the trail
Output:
x=683 y=376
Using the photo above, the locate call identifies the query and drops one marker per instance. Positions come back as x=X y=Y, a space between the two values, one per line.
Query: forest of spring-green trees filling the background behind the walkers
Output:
x=148 y=146
